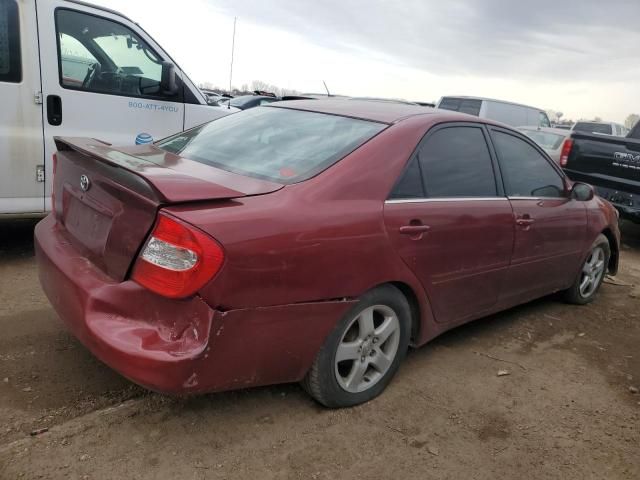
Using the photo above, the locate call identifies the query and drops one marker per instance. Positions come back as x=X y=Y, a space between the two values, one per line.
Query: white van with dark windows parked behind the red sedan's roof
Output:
x=508 y=113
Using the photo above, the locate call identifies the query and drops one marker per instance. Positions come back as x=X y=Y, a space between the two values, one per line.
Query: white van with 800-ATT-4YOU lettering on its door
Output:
x=68 y=68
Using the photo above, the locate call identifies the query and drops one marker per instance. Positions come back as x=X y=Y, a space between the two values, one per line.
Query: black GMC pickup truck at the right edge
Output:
x=611 y=164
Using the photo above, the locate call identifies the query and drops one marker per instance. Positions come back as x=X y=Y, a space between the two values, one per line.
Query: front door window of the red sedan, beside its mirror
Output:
x=526 y=172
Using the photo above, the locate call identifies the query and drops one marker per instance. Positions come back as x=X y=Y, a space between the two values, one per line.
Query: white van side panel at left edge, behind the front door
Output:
x=21 y=147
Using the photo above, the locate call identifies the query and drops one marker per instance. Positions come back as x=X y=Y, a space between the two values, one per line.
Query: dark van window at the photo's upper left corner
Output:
x=10 y=63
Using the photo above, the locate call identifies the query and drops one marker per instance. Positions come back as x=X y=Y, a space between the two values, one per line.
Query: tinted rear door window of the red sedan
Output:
x=455 y=162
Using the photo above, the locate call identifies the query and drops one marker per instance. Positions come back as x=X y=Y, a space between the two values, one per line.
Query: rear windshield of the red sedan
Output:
x=282 y=145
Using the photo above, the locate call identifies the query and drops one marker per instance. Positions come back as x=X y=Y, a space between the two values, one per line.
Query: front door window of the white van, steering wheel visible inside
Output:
x=103 y=56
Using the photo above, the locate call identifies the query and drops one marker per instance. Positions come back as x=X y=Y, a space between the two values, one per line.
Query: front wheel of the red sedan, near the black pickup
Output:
x=592 y=273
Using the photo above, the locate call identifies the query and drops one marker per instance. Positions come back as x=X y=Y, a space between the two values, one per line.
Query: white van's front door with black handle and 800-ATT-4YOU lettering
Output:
x=101 y=78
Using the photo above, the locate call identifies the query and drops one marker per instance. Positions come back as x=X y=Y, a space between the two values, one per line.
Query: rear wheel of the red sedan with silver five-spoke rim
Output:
x=363 y=352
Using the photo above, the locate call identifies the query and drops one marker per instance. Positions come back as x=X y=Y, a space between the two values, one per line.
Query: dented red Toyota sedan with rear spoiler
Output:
x=309 y=241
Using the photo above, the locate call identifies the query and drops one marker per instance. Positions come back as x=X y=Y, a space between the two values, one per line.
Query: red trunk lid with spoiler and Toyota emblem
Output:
x=107 y=198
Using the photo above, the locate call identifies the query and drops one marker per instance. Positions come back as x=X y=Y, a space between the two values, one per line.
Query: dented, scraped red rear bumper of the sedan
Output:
x=178 y=346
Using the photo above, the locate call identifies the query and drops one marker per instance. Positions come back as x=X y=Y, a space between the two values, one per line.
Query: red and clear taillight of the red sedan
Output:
x=177 y=259
